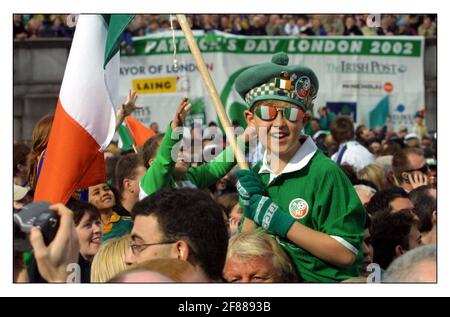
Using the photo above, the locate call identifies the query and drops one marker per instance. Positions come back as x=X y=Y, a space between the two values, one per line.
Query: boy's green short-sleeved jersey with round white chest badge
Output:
x=319 y=195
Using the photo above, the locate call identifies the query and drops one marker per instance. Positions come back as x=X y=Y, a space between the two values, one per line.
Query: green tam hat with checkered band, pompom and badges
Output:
x=276 y=80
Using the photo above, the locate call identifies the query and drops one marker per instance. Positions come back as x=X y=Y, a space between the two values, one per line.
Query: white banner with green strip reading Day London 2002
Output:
x=355 y=73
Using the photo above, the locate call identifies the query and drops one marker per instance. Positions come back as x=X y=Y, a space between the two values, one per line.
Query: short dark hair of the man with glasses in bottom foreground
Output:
x=190 y=215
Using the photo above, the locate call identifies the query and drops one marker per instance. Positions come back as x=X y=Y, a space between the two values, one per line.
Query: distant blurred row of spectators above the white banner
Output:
x=28 y=26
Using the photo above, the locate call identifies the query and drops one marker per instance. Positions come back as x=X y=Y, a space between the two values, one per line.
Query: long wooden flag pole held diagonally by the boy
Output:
x=240 y=158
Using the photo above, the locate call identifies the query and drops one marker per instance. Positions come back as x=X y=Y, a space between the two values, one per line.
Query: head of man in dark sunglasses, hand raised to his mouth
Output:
x=410 y=169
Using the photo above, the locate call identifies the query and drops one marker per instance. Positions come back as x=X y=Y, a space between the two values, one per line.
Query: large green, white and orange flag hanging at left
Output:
x=85 y=117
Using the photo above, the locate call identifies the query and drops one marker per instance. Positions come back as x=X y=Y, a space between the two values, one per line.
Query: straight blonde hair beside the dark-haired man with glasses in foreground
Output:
x=110 y=259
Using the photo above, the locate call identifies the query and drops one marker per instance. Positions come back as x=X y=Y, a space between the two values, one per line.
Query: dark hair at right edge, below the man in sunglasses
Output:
x=424 y=205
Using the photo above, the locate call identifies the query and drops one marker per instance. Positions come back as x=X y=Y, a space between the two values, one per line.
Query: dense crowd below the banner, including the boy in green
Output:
x=323 y=200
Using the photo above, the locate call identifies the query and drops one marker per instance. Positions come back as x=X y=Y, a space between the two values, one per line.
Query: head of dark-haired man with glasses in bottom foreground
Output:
x=180 y=223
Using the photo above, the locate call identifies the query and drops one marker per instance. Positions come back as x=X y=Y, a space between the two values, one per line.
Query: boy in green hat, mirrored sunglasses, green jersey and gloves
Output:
x=297 y=193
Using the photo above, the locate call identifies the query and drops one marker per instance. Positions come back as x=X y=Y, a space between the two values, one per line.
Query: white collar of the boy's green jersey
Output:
x=300 y=159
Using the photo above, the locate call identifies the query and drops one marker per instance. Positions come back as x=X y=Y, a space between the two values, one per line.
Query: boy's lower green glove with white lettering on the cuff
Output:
x=269 y=216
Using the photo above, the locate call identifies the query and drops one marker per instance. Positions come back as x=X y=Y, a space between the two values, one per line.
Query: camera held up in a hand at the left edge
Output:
x=35 y=214
